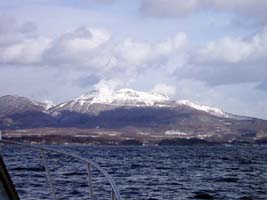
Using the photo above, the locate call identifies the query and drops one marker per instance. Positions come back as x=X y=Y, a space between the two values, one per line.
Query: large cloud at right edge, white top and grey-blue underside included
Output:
x=230 y=60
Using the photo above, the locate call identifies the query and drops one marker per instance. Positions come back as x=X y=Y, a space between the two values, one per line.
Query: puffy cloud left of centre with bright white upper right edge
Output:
x=80 y=47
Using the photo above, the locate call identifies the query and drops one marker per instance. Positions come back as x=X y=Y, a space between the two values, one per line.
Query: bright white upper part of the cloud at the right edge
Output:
x=235 y=50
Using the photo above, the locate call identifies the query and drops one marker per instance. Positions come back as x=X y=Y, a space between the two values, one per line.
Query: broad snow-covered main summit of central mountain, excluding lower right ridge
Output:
x=97 y=100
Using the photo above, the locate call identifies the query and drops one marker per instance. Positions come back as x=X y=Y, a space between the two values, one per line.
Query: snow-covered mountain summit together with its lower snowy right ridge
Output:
x=96 y=101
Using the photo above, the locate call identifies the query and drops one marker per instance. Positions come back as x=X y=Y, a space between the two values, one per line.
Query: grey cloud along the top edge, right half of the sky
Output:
x=177 y=8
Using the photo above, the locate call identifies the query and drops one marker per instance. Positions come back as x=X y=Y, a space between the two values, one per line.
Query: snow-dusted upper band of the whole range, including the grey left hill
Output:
x=103 y=100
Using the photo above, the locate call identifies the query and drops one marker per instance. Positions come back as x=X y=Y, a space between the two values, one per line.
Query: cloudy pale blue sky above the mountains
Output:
x=211 y=52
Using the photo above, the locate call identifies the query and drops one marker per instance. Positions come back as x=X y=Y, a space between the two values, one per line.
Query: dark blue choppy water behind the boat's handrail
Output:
x=186 y=172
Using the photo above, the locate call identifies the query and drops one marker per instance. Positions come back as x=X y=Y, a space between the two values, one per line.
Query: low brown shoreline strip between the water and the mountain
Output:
x=116 y=137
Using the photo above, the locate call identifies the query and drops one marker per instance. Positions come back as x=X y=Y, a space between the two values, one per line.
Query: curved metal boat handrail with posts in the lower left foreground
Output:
x=115 y=195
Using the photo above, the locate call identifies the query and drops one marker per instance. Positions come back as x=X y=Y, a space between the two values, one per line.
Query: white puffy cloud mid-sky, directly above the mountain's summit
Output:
x=140 y=55
